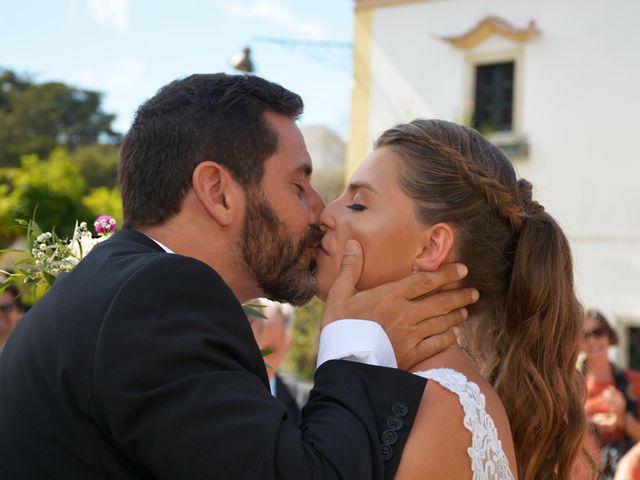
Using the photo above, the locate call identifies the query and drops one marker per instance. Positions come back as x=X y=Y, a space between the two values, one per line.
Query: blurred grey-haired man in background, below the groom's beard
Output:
x=273 y=336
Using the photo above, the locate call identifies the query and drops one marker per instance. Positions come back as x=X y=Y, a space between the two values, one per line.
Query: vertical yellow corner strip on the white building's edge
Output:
x=358 y=145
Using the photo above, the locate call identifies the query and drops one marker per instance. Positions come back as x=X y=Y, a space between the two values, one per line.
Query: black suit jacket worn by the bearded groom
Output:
x=141 y=364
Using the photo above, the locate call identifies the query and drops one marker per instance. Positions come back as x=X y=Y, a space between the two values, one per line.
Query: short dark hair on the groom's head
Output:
x=216 y=117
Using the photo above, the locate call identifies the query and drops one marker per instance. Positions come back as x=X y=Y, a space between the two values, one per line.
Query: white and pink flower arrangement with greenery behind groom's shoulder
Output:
x=48 y=256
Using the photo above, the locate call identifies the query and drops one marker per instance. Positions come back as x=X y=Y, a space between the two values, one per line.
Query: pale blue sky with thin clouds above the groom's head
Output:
x=128 y=49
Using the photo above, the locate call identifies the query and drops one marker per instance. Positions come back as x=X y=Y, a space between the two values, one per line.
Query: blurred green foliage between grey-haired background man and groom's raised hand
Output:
x=301 y=360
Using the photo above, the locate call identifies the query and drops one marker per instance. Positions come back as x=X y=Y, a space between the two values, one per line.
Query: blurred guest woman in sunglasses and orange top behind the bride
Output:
x=611 y=403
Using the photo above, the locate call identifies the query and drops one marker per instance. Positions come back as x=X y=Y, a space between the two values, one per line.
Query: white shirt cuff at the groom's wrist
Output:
x=360 y=341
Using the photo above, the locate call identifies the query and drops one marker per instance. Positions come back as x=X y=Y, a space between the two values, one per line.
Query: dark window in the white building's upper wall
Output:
x=494 y=97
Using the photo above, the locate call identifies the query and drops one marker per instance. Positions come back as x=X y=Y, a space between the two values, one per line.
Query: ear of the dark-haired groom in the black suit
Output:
x=217 y=191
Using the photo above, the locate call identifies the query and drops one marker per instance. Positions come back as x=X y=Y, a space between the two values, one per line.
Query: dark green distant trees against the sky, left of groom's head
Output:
x=36 y=118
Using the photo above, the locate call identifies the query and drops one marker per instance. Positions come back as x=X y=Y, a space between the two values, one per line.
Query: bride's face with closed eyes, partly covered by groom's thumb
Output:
x=374 y=211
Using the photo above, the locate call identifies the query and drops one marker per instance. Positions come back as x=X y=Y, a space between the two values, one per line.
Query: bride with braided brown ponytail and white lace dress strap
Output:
x=434 y=192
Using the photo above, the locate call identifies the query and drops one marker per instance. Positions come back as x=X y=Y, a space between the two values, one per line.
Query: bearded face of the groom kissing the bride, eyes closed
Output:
x=279 y=236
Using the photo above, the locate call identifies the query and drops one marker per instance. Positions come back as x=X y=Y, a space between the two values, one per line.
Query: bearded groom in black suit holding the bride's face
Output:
x=140 y=363
